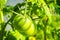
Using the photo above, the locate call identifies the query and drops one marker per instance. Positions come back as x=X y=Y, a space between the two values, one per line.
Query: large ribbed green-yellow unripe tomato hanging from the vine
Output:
x=24 y=25
